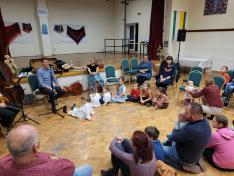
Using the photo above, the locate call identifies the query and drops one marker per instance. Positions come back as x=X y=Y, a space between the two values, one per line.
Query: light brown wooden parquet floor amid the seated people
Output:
x=88 y=141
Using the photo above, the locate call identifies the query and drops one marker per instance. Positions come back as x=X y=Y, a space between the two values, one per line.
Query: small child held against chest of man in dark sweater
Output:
x=180 y=124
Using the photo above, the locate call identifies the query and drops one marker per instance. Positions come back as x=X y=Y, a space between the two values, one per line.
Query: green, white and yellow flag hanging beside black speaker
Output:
x=179 y=22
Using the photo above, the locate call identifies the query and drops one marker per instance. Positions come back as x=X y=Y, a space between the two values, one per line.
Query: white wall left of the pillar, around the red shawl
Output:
x=25 y=11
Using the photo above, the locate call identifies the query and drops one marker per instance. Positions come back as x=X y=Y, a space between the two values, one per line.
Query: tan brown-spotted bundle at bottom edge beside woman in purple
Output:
x=163 y=169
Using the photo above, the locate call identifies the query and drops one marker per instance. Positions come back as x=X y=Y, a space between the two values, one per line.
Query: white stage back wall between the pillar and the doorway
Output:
x=96 y=16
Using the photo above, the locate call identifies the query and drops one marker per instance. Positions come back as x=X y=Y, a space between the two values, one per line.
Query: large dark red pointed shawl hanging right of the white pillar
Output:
x=76 y=35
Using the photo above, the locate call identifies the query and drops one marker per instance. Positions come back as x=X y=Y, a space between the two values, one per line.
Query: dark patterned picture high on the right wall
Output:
x=214 y=7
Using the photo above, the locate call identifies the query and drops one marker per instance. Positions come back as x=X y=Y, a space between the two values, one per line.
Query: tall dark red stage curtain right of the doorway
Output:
x=156 y=28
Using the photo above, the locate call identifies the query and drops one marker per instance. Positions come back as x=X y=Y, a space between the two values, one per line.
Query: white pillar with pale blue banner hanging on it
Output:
x=44 y=26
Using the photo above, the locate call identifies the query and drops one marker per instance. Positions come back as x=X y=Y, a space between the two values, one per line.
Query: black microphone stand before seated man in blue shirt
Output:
x=53 y=104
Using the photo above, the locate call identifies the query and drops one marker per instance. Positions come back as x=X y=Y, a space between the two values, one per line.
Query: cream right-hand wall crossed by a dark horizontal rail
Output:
x=217 y=46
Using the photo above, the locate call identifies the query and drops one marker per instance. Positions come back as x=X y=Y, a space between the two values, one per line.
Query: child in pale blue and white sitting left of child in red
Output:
x=121 y=92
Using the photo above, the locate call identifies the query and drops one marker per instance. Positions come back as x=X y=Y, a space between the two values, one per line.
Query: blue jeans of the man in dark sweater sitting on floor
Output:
x=172 y=158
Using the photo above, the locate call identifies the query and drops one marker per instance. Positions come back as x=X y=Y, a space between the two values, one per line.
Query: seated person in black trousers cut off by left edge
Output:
x=8 y=113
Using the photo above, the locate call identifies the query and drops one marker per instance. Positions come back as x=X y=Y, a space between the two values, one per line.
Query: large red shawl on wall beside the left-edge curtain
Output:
x=13 y=31
